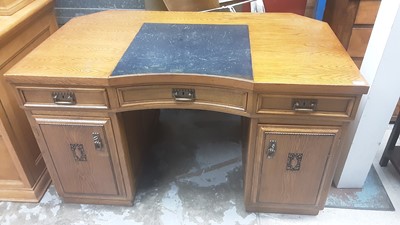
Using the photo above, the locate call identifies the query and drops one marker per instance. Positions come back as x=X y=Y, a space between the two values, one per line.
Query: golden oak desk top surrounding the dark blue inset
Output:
x=286 y=49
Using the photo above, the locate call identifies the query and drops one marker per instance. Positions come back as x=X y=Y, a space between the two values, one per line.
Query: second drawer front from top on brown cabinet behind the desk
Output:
x=359 y=41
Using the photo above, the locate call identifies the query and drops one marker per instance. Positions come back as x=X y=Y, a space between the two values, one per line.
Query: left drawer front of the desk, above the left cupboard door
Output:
x=65 y=98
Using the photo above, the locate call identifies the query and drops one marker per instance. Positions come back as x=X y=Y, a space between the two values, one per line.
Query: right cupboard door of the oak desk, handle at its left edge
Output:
x=293 y=162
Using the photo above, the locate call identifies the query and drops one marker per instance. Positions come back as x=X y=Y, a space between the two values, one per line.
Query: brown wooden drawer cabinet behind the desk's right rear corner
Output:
x=352 y=21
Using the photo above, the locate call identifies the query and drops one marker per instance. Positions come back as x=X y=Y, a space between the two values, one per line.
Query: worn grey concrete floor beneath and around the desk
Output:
x=203 y=186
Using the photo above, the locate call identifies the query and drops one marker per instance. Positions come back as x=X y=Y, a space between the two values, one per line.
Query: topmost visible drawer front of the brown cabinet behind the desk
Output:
x=367 y=11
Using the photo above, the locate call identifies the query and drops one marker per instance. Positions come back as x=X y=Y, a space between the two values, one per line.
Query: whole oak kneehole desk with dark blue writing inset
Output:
x=92 y=90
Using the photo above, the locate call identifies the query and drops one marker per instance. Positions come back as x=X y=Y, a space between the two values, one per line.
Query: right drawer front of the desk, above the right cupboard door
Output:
x=329 y=106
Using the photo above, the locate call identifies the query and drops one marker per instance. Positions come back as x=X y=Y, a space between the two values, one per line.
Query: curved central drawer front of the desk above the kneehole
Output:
x=163 y=95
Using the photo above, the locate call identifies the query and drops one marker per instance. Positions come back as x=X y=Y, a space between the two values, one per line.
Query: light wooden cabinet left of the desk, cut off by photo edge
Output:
x=23 y=174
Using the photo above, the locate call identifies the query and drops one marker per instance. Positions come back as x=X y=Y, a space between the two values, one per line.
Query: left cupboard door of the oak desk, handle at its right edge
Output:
x=81 y=156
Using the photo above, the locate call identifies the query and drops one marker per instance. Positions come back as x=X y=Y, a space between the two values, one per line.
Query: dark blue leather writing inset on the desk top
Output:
x=222 y=50
